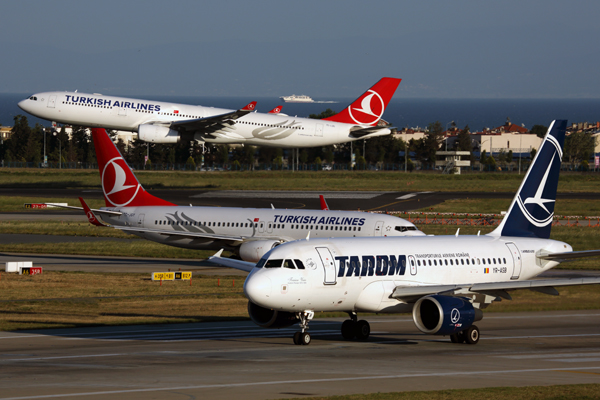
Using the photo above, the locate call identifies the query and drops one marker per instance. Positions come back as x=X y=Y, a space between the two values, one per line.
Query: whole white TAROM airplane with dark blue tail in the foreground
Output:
x=444 y=281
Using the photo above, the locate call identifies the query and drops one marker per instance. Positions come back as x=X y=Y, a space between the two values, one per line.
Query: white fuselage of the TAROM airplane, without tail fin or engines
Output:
x=360 y=275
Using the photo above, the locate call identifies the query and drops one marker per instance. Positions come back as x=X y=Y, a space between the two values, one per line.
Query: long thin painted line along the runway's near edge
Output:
x=303 y=381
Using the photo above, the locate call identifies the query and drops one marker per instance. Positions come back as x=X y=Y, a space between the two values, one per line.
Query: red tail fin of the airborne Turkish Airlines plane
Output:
x=368 y=109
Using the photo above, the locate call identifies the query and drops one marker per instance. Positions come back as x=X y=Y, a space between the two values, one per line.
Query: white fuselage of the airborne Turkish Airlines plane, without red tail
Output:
x=128 y=114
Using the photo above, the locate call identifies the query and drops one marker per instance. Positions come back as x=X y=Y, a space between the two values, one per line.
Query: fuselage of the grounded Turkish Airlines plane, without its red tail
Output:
x=253 y=224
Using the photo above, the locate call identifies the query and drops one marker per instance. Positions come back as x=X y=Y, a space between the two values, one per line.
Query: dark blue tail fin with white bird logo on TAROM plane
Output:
x=532 y=210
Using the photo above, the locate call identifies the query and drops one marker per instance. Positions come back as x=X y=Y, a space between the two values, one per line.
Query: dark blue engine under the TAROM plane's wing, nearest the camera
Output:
x=444 y=315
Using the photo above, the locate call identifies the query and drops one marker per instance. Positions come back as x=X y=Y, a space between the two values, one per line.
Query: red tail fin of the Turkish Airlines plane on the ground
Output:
x=120 y=186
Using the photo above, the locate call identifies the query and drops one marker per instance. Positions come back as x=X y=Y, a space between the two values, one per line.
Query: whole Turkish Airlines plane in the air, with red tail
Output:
x=160 y=122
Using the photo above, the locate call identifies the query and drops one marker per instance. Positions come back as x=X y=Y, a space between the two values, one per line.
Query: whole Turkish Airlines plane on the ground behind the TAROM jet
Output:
x=250 y=232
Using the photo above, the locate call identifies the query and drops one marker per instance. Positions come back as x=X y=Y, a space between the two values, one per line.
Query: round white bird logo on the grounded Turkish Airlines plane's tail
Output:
x=119 y=187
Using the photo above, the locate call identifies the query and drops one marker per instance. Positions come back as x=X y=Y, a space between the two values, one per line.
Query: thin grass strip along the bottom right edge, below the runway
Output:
x=558 y=392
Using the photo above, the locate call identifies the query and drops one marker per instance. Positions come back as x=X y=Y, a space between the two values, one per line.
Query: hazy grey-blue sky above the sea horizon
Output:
x=324 y=49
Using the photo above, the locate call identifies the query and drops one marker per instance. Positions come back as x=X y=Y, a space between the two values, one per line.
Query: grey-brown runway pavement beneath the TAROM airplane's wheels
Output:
x=239 y=360
